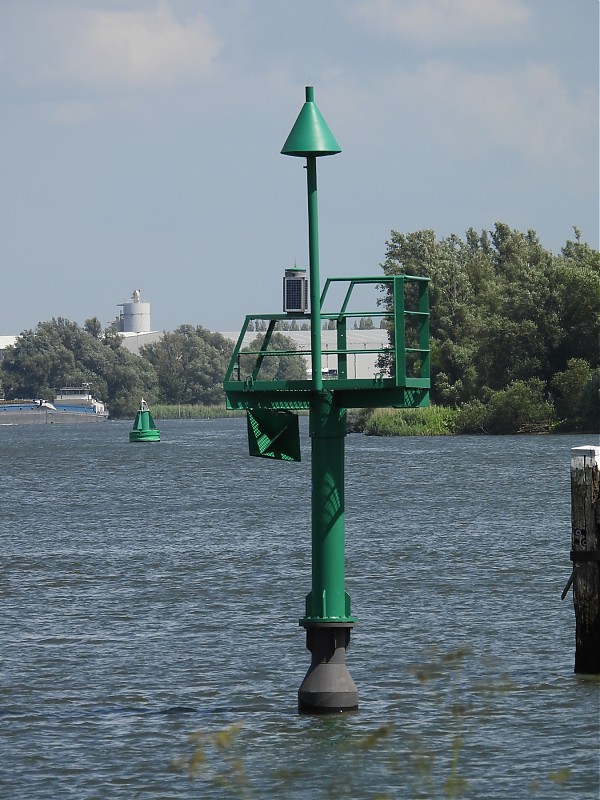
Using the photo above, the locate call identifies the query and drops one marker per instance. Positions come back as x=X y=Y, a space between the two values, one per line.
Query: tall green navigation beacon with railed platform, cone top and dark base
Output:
x=273 y=426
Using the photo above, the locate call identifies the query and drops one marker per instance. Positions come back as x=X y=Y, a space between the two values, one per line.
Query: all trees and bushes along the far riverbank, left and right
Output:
x=515 y=333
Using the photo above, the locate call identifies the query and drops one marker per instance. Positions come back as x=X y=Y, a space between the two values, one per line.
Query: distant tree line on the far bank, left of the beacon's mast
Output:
x=186 y=366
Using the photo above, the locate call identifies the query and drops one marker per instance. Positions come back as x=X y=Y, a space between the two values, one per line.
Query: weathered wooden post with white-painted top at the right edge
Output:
x=585 y=555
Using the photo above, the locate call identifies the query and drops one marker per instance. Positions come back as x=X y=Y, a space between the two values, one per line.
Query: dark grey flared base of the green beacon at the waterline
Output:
x=327 y=687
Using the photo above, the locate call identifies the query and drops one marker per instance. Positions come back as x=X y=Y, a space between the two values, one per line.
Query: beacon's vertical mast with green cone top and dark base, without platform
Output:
x=327 y=686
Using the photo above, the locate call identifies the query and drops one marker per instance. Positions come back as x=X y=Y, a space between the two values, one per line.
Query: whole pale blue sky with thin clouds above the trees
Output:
x=141 y=143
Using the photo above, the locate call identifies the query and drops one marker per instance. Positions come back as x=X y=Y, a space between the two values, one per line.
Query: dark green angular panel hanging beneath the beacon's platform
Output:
x=273 y=434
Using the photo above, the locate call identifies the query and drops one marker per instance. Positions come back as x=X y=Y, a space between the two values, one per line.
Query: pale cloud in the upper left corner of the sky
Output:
x=97 y=48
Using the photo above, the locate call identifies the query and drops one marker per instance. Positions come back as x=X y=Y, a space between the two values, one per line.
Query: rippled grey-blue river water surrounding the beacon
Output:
x=151 y=593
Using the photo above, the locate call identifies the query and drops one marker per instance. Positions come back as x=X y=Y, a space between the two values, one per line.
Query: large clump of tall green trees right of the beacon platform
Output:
x=508 y=318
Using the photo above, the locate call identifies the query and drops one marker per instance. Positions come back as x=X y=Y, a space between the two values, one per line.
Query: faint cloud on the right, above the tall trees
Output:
x=527 y=111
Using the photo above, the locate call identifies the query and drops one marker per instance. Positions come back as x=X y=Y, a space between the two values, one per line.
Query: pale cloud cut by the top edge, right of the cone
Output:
x=444 y=22
